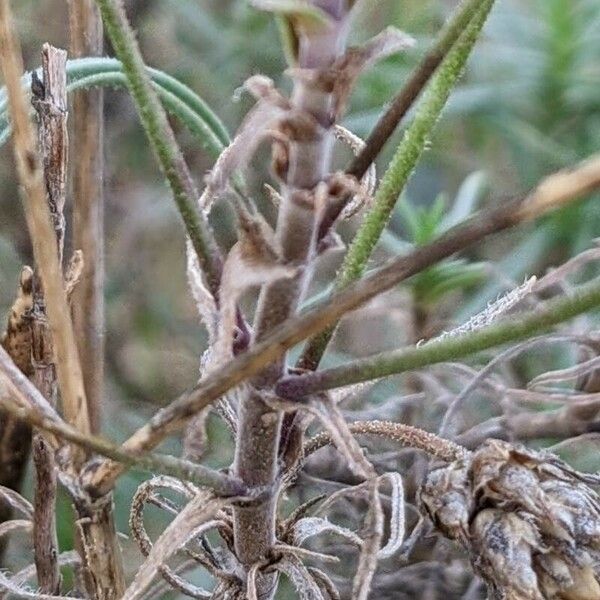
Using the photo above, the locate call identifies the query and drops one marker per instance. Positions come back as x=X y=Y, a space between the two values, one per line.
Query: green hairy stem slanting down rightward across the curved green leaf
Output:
x=162 y=139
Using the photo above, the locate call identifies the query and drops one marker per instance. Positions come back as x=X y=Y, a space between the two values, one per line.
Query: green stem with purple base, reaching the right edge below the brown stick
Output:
x=449 y=349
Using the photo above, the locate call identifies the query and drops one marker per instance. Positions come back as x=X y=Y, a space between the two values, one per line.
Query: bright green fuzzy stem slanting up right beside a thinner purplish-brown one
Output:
x=399 y=171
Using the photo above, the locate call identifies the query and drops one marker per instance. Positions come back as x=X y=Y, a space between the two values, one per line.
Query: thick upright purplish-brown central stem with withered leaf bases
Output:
x=309 y=163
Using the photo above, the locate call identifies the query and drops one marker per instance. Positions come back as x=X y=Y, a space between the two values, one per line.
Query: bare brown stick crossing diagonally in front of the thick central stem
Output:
x=553 y=192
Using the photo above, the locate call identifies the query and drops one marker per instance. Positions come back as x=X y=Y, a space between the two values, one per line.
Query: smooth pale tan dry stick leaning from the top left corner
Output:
x=41 y=229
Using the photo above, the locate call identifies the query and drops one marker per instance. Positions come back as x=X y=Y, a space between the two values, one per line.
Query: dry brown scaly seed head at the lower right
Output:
x=529 y=523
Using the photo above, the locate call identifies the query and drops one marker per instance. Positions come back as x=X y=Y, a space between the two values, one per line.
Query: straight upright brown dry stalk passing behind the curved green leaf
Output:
x=88 y=207
